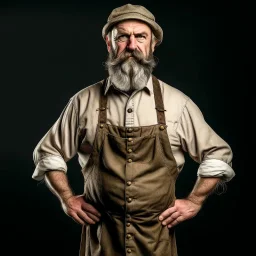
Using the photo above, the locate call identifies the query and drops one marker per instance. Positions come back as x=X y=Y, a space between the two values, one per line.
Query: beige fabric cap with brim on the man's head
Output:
x=138 y=12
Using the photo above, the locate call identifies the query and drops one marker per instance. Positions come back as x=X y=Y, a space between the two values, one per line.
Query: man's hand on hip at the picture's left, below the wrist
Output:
x=80 y=211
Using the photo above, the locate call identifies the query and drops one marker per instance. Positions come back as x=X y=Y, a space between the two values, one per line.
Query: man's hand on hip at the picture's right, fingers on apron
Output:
x=182 y=210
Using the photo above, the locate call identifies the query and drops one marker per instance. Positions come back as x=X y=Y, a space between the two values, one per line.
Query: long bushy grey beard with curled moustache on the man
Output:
x=130 y=70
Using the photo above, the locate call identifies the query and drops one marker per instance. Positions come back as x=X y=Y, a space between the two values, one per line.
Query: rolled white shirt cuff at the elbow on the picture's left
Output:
x=49 y=163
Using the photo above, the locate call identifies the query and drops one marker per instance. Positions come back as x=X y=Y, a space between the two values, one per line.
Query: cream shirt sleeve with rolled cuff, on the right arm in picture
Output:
x=204 y=145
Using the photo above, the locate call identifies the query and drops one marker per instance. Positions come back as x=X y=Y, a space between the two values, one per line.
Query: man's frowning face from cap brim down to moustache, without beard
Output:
x=132 y=35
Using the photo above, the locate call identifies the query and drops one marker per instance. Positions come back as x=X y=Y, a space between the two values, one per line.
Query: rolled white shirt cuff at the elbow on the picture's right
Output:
x=216 y=168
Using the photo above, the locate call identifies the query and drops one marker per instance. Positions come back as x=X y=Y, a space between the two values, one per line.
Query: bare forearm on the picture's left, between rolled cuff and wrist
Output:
x=57 y=182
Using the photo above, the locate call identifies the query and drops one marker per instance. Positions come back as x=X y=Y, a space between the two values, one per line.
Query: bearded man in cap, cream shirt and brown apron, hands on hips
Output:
x=130 y=132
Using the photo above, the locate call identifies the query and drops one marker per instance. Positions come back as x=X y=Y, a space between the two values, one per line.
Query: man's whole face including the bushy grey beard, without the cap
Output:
x=130 y=61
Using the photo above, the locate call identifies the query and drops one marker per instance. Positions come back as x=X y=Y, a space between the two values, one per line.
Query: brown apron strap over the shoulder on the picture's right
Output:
x=158 y=101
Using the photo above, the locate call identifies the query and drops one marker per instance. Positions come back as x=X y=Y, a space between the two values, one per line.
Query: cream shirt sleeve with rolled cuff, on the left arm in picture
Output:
x=58 y=145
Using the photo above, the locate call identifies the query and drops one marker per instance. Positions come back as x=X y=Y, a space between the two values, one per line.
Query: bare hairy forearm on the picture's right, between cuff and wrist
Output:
x=202 y=189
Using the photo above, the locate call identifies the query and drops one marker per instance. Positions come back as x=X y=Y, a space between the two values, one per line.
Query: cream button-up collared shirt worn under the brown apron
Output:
x=187 y=129
